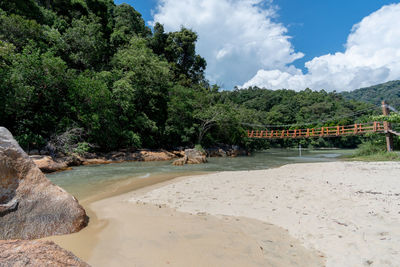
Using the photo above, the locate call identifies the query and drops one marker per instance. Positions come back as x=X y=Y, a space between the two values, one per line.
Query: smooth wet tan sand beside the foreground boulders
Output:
x=122 y=233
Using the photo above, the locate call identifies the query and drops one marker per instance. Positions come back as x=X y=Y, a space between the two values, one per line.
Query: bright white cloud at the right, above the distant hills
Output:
x=372 y=56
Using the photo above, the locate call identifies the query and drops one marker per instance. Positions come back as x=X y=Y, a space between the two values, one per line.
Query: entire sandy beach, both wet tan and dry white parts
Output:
x=334 y=214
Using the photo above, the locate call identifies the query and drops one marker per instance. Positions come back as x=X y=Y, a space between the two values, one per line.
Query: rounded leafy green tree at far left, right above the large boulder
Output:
x=37 y=92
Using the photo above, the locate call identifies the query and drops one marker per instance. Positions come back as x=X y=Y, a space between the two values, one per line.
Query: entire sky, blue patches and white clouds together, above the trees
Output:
x=305 y=31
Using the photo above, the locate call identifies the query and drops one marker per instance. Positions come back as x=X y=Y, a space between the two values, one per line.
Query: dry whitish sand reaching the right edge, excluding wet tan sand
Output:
x=350 y=211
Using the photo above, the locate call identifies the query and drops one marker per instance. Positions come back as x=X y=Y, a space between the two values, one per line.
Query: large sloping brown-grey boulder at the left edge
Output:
x=30 y=205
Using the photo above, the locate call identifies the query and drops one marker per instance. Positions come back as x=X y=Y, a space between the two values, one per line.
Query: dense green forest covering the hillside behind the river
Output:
x=95 y=66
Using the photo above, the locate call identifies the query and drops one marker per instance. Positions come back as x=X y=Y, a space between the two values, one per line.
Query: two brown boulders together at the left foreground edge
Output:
x=32 y=207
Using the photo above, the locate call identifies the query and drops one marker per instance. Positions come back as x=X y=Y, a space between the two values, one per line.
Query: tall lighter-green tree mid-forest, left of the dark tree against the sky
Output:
x=141 y=90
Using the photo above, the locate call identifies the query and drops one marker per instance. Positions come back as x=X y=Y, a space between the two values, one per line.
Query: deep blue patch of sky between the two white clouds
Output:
x=320 y=27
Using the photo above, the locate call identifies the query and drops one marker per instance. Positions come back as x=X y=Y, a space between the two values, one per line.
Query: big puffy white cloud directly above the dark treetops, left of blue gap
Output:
x=237 y=37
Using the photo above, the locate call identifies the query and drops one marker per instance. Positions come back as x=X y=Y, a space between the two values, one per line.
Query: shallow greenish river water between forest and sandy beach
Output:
x=85 y=181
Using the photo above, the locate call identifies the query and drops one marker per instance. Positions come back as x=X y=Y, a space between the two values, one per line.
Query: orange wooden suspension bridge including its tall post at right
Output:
x=332 y=131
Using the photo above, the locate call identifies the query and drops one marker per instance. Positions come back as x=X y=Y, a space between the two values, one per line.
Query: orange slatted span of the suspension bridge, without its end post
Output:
x=329 y=131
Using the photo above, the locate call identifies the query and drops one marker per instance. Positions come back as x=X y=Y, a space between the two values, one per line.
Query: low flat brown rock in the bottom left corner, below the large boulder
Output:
x=36 y=253
